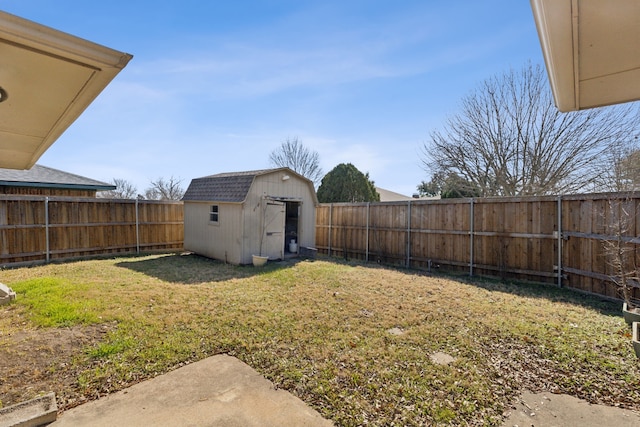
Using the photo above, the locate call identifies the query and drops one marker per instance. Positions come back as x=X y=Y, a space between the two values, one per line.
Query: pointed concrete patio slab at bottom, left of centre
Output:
x=218 y=391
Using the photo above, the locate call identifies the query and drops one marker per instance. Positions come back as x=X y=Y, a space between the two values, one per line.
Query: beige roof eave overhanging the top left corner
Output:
x=48 y=78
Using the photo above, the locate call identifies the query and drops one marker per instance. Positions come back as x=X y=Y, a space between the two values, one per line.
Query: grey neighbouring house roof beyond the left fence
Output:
x=45 y=177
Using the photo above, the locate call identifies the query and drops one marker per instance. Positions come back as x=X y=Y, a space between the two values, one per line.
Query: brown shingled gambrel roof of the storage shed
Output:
x=231 y=187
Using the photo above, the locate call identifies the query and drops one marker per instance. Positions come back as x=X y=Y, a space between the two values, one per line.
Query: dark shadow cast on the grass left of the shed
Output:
x=191 y=269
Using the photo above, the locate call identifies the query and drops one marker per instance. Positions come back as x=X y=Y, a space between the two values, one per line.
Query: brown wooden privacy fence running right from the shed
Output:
x=545 y=239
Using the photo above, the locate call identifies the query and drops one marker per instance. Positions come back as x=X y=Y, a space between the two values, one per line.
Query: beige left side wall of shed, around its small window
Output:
x=222 y=241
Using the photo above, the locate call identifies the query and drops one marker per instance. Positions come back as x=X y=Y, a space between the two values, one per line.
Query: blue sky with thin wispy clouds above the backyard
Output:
x=215 y=86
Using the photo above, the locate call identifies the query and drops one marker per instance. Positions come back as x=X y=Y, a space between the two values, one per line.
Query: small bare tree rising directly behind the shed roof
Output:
x=295 y=156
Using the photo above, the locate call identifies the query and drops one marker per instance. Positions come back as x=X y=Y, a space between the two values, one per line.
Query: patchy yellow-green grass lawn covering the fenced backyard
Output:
x=320 y=329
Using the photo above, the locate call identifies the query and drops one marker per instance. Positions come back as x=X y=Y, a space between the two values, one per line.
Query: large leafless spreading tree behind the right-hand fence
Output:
x=509 y=139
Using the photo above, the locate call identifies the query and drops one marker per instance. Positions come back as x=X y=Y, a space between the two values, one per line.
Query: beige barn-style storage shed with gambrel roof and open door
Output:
x=233 y=216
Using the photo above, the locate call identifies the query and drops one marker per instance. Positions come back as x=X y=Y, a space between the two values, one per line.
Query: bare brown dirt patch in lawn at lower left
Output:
x=36 y=361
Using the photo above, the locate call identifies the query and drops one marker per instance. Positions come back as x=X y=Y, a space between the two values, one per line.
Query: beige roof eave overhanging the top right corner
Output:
x=591 y=49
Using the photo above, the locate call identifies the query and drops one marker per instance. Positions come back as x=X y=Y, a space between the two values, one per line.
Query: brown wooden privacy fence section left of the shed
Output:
x=37 y=229
